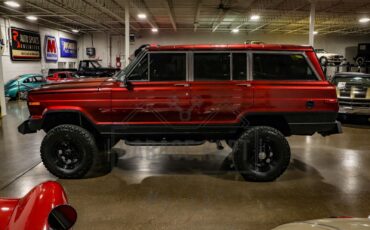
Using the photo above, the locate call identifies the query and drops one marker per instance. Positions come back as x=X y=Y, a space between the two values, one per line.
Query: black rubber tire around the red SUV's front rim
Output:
x=80 y=135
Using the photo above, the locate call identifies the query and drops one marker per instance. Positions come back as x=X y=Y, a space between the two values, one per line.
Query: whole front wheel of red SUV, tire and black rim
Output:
x=68 y=151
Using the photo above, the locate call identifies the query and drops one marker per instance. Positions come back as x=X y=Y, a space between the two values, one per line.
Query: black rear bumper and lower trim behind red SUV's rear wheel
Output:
x=324 y=128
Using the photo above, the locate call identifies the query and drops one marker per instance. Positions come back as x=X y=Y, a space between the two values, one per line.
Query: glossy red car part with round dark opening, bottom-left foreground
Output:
x=44 y=207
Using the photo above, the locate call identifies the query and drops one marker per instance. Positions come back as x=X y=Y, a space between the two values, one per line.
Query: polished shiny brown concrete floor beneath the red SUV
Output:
x=195 y=188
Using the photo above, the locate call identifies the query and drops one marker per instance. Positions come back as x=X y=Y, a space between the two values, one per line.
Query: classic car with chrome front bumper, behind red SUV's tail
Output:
x=353 y=91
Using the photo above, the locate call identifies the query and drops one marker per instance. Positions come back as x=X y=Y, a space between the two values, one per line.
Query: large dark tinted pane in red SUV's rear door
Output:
x=211 y=66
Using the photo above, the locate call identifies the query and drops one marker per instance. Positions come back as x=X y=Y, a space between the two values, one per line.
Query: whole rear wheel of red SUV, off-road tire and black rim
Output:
x=246 y=158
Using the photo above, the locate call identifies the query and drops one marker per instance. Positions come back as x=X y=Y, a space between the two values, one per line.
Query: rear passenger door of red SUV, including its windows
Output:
x=220 y=89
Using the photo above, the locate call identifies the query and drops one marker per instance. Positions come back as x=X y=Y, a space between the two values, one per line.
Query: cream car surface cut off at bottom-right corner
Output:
x=338 y=223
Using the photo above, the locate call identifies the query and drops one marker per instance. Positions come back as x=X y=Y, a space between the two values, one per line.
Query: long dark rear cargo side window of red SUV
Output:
x=281 y=67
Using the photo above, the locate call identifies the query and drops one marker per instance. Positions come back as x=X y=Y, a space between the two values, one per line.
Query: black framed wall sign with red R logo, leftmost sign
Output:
x=24 y=45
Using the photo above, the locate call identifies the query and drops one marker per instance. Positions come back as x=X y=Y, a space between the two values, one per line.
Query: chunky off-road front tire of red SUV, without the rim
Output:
x=79 y=137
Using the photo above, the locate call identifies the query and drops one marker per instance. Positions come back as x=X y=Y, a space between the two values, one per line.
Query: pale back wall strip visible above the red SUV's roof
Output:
x=346 y=45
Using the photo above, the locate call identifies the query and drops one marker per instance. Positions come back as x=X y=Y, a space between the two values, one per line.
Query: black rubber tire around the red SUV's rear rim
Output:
x=239 y=154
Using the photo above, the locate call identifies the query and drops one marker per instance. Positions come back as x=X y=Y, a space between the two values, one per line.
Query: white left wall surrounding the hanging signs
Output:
x=11 y=69
